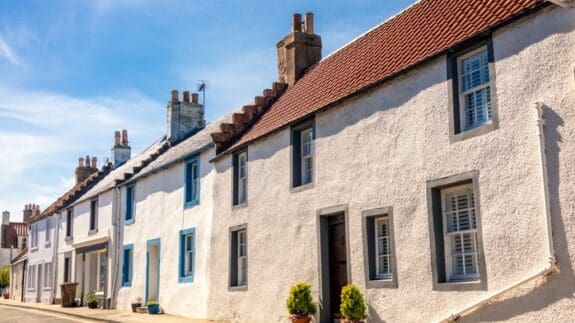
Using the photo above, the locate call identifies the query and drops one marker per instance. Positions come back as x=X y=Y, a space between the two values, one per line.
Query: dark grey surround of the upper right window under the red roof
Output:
x=456 y=130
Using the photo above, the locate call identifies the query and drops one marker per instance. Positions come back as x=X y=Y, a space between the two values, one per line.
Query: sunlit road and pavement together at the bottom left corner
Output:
x=17 y=312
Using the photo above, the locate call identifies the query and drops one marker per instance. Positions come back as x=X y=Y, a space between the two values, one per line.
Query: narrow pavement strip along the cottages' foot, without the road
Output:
x=112 y=316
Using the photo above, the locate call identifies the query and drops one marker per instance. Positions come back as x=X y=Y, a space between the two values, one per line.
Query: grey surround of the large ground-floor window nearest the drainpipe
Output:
x=436 y=233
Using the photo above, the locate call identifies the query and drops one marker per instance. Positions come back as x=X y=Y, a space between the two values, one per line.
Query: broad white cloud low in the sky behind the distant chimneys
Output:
x=42 y=134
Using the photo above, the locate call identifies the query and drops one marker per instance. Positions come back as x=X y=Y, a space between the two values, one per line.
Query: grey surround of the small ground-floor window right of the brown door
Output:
x=369 y=217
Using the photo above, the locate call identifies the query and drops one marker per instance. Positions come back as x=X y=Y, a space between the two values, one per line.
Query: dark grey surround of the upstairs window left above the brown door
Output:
x=296 y=155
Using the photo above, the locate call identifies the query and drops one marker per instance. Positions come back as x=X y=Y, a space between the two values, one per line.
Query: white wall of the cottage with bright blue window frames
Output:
x=160 y=213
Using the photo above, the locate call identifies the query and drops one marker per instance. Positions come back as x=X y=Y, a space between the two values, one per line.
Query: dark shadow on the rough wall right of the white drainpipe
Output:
x=559 y=285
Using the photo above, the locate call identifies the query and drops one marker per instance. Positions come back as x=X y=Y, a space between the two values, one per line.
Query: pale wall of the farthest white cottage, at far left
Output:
x=41 y=255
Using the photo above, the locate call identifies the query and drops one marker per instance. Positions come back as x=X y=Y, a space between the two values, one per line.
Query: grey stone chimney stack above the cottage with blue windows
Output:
x=185 y=117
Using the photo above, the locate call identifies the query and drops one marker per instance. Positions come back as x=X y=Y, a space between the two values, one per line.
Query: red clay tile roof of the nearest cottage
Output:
x=425 y=30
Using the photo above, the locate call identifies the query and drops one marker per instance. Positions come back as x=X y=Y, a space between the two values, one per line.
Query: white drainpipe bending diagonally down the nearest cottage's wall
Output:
x=552 y=261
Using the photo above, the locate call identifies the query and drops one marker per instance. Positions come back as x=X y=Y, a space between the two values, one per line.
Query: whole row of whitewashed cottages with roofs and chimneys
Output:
x=428 y=162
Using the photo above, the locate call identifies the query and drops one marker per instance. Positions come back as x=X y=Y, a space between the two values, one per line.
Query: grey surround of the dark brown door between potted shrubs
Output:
x=323 y=249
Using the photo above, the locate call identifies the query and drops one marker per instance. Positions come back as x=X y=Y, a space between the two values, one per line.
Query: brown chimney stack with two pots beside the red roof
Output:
x=299 y=50
